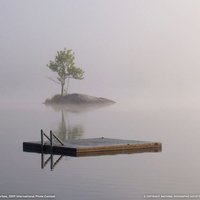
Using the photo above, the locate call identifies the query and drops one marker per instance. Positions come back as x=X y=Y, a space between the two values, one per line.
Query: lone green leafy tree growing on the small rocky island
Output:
x=65 y=68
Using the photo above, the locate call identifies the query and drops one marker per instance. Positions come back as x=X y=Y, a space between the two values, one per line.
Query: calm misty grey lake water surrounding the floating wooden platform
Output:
x=175 y=170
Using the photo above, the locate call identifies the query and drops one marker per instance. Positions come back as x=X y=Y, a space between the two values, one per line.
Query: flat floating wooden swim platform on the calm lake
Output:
x=91 y=147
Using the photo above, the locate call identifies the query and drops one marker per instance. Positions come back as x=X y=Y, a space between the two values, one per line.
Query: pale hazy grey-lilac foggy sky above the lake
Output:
x=138 y=50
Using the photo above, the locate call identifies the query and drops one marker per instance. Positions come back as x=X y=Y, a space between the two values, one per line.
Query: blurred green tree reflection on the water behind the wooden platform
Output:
x=65 y=132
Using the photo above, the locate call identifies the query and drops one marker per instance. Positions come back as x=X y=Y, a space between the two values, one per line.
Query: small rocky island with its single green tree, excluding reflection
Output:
x=65 y=69
